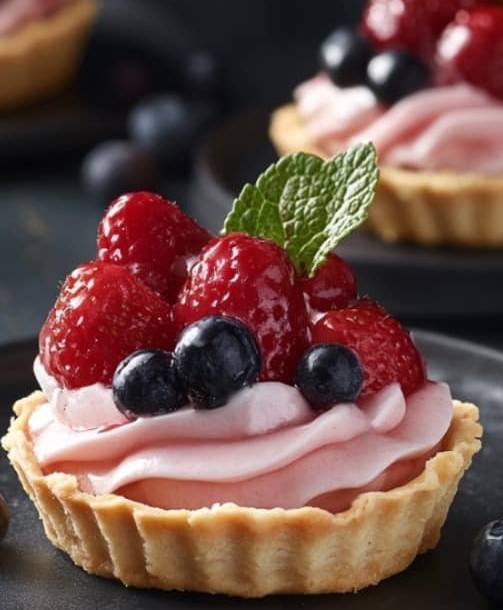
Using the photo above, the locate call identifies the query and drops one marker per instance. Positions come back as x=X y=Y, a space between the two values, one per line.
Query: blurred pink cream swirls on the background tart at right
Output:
x=456 y=127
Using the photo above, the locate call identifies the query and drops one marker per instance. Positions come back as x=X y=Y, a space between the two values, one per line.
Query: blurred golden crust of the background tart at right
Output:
x=425 y=207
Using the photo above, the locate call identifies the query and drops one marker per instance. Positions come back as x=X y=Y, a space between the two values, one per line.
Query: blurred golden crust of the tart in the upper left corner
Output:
x=39 y=58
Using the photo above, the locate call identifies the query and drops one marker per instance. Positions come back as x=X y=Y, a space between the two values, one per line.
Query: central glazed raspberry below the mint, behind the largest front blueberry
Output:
x=254 y=281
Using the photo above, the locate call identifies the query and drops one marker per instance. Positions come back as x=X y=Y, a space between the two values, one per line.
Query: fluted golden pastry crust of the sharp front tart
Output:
x=246 y=551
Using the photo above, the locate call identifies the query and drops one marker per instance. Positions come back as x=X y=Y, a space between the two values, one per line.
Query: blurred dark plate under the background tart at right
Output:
x=411 y=281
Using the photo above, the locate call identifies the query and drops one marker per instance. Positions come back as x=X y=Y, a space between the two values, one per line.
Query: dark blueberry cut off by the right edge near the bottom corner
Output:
x=486 y=561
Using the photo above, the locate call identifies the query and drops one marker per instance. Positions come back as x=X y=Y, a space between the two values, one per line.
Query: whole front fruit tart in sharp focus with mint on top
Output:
x=226 y=414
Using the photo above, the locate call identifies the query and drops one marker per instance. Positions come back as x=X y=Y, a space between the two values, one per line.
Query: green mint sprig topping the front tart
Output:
x=307 y=205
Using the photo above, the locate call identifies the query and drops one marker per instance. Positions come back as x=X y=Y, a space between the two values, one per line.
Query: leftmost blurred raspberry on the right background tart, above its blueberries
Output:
x=413 y=25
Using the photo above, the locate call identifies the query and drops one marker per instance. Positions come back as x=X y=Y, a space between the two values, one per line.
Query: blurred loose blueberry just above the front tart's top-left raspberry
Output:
x=117 y=167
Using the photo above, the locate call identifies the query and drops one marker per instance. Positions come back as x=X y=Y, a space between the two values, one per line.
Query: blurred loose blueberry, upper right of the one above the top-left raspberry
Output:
x=167 y=125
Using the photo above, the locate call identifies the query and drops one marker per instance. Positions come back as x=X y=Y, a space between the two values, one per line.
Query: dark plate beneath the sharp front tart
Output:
x=33 y=574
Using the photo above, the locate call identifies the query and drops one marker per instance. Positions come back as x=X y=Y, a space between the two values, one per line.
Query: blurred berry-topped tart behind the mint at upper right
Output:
x=423 y=81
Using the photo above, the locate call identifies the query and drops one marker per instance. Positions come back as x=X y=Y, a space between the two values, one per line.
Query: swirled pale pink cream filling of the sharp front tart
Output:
x=265 y=448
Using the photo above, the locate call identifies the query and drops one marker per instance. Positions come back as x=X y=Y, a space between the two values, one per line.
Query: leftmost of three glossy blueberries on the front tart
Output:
x=146 y=383
